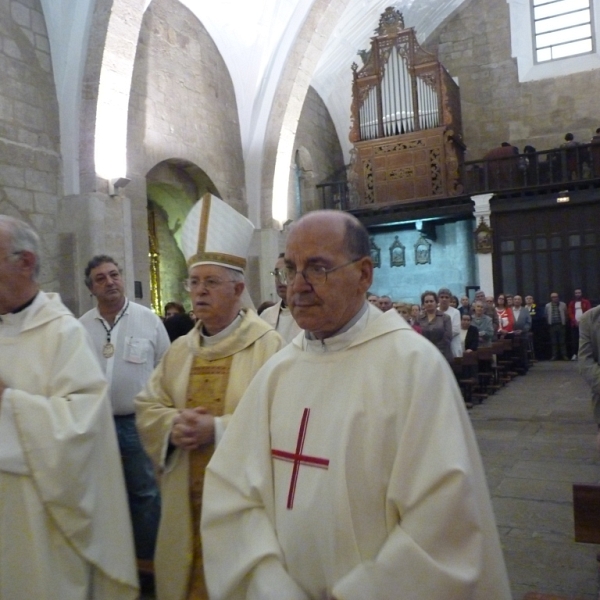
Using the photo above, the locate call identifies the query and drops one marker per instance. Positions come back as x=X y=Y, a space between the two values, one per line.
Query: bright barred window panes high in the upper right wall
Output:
x=562 y=28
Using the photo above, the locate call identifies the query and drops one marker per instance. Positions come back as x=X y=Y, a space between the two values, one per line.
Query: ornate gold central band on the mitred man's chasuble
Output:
x=207 y=387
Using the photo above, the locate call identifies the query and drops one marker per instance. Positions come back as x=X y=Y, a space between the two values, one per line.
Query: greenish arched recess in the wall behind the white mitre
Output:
x=173 y=186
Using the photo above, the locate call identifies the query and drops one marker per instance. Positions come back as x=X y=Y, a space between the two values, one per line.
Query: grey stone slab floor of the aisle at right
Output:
x=537 y=438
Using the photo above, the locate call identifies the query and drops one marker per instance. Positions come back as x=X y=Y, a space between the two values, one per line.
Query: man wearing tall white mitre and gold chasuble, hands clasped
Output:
x=185 y=407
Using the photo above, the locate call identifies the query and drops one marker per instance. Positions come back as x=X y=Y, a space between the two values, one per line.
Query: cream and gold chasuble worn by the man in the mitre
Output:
x=190 y=375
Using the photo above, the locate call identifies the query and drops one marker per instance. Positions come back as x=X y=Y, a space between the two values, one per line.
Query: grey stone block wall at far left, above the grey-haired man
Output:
x=30 y=165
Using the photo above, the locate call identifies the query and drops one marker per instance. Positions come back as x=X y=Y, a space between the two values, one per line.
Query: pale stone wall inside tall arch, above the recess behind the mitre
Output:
x=182 y=106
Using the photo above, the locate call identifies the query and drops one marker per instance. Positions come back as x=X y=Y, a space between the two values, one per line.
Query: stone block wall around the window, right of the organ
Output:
x=475 y=46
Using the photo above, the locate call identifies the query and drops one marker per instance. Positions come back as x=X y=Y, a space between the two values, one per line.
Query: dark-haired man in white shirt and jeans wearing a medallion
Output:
x=129 y=341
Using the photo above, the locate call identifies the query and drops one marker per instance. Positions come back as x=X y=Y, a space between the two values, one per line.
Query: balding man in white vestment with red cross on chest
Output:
x=350 y=469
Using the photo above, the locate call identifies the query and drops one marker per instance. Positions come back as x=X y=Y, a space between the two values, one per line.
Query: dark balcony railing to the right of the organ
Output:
x=535 y=169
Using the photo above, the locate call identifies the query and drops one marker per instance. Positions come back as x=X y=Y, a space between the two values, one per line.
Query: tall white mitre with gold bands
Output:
x=214 y=233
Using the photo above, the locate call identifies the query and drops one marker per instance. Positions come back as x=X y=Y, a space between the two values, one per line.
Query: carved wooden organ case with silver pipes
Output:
x=406 y=122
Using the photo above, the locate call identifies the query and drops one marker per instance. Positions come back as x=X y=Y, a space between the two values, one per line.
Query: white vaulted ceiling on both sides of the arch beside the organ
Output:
x=254 y=38
